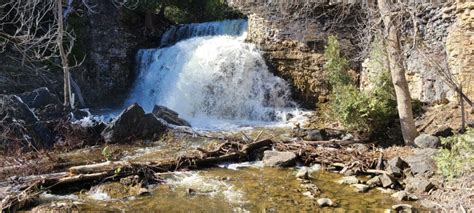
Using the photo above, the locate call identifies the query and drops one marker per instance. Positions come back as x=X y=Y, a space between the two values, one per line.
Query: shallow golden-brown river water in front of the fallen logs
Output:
x=242 y=190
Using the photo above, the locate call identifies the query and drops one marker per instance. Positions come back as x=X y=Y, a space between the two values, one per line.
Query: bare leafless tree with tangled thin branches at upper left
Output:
x=37 y=29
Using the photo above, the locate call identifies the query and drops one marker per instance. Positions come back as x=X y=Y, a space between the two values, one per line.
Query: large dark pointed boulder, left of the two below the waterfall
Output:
x=133 y=124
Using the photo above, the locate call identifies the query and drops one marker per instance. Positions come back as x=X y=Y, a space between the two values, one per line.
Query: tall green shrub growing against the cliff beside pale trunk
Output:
x=367 y=113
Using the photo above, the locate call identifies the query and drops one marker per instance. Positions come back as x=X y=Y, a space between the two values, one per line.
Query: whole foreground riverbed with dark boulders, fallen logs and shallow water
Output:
x=292 y=168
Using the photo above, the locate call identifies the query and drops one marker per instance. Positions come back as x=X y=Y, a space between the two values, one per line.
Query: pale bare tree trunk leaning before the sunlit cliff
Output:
x=397 y=70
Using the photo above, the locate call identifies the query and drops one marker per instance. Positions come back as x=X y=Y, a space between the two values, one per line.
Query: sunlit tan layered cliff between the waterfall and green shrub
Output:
x=292 y=38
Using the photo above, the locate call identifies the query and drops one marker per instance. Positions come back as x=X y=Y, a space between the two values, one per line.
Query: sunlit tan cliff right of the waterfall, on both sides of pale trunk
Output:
x=292 y=38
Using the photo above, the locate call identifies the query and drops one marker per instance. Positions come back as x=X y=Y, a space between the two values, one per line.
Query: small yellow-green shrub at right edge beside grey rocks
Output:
x=459 y=159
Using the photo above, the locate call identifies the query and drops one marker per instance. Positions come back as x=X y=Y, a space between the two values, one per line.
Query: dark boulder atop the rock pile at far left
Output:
x=39 y=98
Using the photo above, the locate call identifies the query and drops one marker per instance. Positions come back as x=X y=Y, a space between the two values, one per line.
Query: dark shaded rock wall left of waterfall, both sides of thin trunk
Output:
x=107 y=38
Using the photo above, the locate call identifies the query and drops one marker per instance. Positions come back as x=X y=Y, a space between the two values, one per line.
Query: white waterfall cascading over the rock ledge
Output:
x=211 y=80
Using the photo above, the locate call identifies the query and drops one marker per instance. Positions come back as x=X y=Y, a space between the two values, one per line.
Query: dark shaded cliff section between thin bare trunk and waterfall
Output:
x=111 y=37
